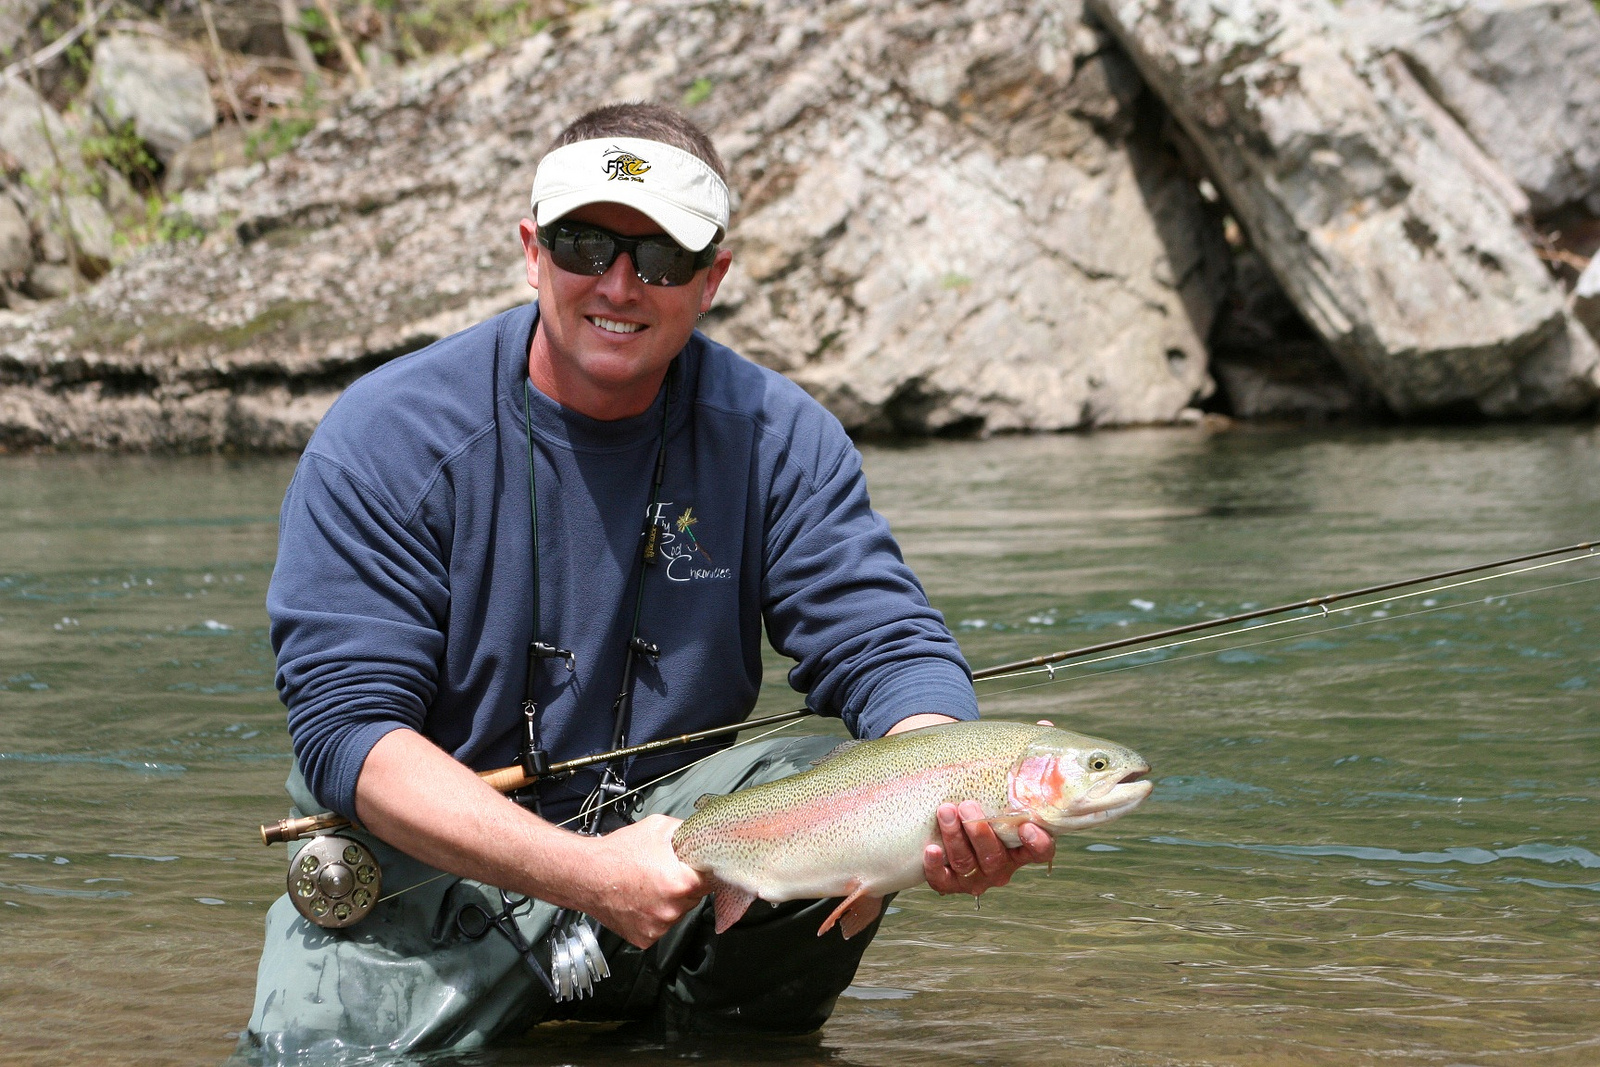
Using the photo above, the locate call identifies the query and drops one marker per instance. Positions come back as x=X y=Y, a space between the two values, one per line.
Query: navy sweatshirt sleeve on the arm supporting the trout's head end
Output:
x=841 y=599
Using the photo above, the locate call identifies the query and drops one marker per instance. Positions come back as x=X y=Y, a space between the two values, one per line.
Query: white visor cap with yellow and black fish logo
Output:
x=674 y=188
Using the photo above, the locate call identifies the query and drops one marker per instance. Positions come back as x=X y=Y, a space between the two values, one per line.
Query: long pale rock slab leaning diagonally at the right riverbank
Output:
x=1402 y=260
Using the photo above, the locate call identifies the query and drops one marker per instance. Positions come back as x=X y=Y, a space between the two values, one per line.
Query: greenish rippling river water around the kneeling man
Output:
x=1375 y=837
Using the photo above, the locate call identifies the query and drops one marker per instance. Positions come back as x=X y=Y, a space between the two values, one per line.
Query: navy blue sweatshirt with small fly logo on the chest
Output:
x=404 y=593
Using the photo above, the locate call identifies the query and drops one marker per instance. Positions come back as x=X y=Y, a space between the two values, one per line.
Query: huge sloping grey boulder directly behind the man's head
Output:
x=954 y=218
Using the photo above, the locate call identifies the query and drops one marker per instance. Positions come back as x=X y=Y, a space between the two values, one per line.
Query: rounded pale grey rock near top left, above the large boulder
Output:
x=151 y=84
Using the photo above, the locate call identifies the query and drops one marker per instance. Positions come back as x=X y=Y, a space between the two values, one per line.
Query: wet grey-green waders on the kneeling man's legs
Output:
x=407 y=981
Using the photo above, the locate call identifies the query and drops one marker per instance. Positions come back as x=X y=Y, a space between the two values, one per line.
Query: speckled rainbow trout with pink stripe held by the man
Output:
x=857 y=825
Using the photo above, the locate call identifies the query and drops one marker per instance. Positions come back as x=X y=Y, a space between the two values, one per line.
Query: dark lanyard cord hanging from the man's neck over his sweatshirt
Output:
x=535 y=759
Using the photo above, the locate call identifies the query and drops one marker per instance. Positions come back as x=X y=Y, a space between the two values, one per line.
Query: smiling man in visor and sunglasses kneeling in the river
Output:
x=551 y=533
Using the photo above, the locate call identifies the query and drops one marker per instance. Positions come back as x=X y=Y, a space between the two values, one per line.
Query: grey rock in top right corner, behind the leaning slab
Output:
x=1521 y=76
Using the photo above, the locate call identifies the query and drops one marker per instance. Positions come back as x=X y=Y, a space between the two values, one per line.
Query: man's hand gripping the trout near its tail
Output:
x=641 y=887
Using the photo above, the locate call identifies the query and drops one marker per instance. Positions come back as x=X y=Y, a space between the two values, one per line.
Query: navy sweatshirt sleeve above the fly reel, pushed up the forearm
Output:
x=358 y=602
